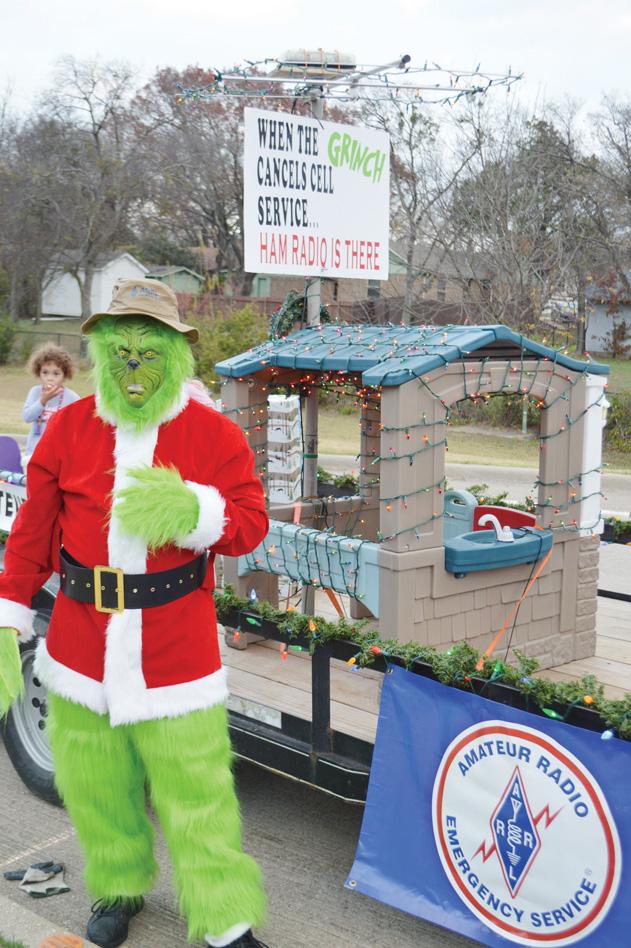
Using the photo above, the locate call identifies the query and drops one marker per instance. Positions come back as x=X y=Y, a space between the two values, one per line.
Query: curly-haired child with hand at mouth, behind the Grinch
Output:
x=52 y=365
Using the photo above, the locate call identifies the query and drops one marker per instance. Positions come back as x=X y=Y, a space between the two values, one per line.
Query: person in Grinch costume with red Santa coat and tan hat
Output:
x=131 y=494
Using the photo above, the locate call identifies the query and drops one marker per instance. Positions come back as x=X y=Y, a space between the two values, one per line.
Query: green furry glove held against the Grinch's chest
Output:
x=159 y=507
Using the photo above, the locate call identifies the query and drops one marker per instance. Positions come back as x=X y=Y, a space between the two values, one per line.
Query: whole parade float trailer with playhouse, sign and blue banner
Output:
x=407 y=586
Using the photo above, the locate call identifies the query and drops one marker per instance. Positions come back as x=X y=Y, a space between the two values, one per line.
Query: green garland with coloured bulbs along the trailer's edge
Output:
x=455 y=667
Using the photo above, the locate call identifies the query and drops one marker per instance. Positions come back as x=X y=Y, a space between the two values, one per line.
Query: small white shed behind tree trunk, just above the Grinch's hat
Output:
x=62 y=295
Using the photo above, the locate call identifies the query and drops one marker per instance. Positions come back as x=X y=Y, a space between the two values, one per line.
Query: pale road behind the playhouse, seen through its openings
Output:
x=518 y=481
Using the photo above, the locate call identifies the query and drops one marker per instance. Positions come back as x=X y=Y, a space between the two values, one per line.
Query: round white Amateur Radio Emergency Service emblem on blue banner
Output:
x=525 y=835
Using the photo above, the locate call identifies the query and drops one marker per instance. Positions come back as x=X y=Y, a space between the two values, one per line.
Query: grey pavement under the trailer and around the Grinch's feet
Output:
x=304 y=841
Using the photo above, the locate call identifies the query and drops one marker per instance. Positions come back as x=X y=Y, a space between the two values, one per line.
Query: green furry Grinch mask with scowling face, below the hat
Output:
x=139 y=367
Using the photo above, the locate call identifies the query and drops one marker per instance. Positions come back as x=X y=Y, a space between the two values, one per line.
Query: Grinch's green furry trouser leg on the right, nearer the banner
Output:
x=188 y=763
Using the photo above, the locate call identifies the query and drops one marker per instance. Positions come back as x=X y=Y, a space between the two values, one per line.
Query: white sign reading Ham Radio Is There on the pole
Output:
x=316 y=197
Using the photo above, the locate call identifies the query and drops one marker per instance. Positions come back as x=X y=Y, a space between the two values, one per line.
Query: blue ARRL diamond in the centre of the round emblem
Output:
x=515 y=834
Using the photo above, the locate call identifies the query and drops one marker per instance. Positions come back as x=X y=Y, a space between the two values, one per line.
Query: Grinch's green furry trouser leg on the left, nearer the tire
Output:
x=101 y=781
